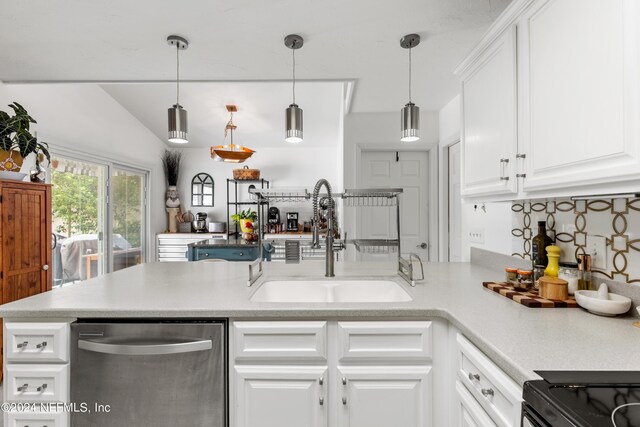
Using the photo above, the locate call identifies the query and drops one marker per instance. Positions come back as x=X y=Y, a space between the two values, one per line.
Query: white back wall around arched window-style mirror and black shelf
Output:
x=286 y=166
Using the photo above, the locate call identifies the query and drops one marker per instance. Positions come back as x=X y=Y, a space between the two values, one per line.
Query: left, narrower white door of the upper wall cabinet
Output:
x=489 y=120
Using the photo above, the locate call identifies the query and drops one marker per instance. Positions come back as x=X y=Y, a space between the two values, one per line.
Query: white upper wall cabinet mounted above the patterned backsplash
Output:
x=575 y=112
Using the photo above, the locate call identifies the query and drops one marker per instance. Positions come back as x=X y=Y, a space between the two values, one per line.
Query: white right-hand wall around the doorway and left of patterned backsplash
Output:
x=495 y=223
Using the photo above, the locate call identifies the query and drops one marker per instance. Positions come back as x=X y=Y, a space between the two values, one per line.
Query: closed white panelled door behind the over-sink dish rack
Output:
x=407 y=170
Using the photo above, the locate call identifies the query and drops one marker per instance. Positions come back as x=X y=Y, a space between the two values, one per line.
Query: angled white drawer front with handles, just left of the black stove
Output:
x=498 y=394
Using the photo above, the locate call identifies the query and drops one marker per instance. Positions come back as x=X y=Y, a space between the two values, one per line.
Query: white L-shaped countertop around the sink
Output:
x=519 y=339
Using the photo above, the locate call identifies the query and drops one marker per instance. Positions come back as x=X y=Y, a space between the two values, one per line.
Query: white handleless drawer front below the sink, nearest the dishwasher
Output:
x=280 y=341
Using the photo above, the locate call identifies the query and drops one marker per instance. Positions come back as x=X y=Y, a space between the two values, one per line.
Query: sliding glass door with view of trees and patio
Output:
x=98 y=218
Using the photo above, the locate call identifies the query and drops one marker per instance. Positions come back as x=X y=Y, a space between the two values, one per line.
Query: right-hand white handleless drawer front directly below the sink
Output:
x=391 y=341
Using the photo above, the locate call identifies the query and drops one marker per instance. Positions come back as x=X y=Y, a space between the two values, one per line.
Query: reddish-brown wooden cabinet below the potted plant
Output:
x=26 y=242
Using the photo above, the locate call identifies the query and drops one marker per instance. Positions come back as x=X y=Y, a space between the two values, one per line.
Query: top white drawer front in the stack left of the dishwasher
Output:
x=36 y=342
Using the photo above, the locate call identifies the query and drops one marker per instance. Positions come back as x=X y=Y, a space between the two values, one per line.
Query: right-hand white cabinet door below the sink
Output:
x=385 y=396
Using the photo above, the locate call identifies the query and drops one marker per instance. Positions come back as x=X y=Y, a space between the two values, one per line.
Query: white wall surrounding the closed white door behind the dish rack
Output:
x=382 y=131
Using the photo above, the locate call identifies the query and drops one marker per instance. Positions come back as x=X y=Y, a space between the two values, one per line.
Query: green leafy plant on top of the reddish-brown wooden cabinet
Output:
x=15 y=134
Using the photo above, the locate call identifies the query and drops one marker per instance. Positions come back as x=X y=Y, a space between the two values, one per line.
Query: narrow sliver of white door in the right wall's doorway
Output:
x=455 y=205
